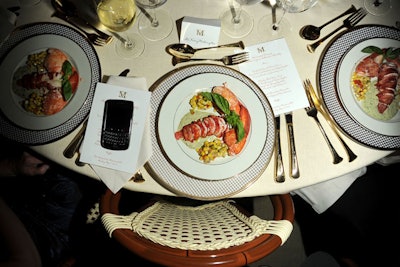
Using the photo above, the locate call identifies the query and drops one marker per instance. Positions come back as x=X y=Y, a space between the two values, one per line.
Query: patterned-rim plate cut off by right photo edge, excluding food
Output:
x=335 y=69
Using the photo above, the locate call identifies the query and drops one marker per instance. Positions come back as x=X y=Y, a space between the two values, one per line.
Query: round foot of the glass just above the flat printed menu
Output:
x=266 y=29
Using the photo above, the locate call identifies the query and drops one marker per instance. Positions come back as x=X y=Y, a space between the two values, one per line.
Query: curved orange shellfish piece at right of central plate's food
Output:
x=230 y=138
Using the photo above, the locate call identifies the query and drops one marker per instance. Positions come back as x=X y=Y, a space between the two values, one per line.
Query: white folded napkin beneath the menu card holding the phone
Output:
x=114 y=179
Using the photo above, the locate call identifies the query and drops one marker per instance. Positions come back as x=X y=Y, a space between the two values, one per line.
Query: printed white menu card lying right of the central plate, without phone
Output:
x=271 y=66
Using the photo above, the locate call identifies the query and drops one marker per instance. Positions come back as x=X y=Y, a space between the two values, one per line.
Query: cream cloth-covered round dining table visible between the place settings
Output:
x=314 y=158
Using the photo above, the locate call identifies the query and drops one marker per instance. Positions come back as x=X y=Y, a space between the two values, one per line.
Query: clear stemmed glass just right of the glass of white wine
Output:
x=154 y=25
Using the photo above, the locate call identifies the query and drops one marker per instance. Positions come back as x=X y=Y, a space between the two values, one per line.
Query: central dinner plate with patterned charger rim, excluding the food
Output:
x=176 y=166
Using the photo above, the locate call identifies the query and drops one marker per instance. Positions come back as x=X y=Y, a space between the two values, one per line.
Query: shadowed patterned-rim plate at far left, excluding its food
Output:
x=24 y=127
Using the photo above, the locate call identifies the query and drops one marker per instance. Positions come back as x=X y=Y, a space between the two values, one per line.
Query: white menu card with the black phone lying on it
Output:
x=123 y=160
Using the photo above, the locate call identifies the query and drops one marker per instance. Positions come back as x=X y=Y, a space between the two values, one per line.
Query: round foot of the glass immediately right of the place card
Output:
x=236 y=30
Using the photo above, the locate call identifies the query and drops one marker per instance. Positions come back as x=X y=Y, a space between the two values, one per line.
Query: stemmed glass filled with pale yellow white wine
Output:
x=119 y=16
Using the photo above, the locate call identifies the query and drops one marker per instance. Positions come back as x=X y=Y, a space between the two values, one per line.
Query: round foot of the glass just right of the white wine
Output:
x=163 y=30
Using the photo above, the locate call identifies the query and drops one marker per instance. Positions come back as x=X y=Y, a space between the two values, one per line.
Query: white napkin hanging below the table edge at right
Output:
x=323 y=195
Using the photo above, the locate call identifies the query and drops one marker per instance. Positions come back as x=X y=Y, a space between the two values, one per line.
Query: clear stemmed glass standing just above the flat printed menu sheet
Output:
x=275 y=26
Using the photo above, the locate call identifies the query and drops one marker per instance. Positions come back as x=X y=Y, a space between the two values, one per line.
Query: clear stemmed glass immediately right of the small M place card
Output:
x=236 y=22
